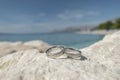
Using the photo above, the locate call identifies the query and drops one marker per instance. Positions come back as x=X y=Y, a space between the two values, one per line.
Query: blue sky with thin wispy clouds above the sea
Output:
x=40 y=16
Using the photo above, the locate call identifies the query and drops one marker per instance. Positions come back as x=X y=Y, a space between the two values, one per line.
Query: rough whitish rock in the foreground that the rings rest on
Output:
x=103 y=63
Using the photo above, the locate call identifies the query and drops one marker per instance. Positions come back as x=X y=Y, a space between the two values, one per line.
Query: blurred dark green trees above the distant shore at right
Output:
x=109 y=25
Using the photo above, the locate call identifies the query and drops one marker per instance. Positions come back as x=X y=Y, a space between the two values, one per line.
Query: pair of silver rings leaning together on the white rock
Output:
x=57 y=51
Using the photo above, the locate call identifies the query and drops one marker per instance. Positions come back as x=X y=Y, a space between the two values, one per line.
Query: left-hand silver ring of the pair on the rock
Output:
x=55 y=51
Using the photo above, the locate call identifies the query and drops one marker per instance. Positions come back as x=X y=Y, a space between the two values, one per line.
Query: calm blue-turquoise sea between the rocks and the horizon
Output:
x=69 y=39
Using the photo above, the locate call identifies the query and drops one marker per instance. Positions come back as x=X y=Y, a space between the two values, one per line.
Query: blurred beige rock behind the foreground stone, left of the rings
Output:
x=10 y=47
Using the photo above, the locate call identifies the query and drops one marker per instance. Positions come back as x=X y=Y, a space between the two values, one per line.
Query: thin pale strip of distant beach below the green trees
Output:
x=101 y=32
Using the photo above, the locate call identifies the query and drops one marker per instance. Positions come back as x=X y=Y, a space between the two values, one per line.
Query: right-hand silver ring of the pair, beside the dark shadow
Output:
x=72 y=53
